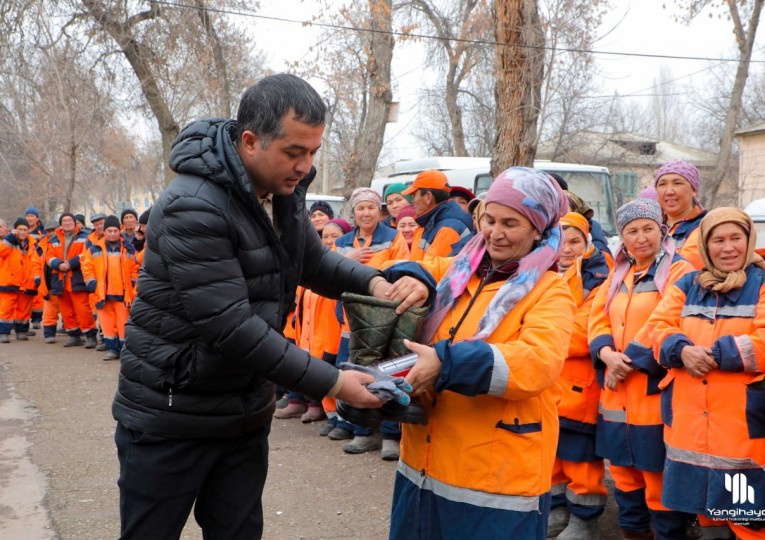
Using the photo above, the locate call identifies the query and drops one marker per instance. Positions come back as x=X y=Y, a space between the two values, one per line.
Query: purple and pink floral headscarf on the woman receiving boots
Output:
x=537 y=197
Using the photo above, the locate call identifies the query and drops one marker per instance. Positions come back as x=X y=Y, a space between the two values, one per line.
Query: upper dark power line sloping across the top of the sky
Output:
x=438 y=38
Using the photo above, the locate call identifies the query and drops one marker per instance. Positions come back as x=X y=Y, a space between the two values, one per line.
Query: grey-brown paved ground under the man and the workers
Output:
x=58 y=462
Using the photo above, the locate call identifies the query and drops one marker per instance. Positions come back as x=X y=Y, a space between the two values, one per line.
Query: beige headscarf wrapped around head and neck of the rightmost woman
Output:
x=713 y=278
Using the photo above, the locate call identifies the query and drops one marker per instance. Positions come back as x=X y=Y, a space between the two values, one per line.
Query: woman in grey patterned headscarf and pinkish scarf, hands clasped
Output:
x=629 y=432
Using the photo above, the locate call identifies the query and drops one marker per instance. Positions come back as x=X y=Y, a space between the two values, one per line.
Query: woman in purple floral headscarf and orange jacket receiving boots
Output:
x=496 y=342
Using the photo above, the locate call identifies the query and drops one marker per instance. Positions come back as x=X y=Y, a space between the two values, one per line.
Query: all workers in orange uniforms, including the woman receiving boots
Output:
x=543 y=355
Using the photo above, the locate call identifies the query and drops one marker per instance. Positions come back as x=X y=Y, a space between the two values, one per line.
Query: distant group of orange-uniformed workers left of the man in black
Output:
x=61 y=272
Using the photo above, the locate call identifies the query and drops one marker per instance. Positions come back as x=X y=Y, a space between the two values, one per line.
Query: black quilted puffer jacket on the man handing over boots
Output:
x=204 y=337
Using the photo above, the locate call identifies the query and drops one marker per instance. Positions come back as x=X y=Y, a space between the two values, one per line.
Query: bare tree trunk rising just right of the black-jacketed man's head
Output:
x=360 y=168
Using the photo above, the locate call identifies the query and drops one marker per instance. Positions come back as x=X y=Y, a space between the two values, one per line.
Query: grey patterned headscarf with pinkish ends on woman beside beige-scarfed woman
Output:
x=641 y=209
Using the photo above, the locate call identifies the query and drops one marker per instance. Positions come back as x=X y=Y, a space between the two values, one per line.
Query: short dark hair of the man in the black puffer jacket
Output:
x=264 y=104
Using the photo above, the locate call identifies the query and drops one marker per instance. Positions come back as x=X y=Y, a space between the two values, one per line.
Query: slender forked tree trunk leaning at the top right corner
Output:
x=745 y=46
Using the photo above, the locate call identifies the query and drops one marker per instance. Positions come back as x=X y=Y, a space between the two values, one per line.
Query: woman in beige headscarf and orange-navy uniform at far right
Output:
x=709 y=332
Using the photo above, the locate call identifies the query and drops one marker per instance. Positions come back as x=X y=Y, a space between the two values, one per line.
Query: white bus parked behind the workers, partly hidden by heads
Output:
x=591 y=183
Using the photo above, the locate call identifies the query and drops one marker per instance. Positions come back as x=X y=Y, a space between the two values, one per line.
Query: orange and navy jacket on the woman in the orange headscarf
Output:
x=578 y=409
